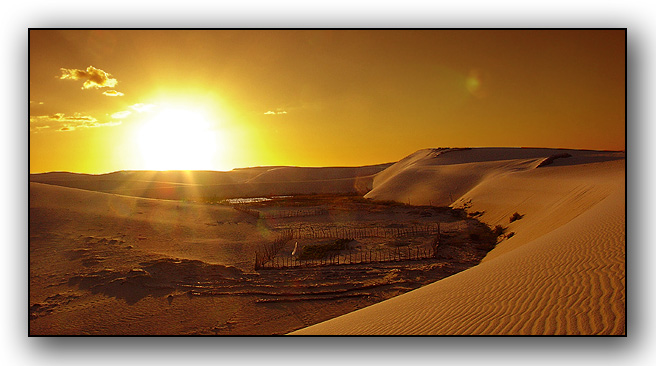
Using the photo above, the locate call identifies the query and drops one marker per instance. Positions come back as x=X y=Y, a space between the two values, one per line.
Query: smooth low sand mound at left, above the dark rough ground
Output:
x=177 y=229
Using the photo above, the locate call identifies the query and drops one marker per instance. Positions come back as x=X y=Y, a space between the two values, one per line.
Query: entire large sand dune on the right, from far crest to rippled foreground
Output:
x=563 y=272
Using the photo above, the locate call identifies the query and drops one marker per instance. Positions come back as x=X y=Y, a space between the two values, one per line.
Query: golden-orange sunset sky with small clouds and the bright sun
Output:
x=107 y=100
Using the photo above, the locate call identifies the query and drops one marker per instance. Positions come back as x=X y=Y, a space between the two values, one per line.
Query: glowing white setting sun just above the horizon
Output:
x=178 y=139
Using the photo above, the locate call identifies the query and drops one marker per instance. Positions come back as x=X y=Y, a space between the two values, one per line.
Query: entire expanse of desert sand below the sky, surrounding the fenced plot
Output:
x=132 y=253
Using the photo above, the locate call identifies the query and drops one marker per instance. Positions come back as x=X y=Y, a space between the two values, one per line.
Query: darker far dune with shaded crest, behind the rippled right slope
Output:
x=441 y=176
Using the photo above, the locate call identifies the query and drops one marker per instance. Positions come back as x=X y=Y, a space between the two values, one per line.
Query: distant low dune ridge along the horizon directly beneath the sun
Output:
x=205 y=185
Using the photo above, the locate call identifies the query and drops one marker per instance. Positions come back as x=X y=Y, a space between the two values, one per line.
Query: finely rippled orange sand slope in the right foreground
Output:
x=570 y=280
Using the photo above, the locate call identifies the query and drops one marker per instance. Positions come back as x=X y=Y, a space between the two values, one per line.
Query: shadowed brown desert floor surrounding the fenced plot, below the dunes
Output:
x=105 y=264
